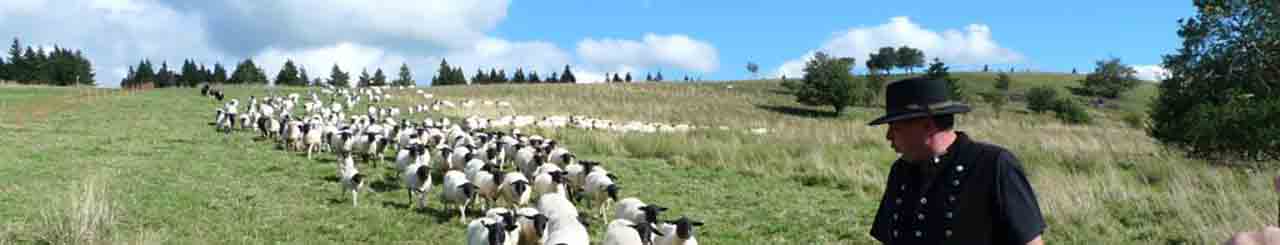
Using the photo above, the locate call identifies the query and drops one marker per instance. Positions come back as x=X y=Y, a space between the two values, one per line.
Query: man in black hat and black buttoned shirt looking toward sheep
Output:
x=947 y=188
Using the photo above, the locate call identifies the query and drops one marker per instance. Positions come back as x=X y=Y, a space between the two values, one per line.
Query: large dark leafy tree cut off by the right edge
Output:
x=1220 y=99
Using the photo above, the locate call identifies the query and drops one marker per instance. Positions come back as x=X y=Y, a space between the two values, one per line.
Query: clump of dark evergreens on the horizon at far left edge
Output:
x=57 y=67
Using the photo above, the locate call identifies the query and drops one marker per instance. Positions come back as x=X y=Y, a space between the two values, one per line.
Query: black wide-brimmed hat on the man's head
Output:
x=916 y=98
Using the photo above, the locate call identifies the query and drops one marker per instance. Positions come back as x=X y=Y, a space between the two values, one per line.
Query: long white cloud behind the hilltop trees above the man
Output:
x=970 y=47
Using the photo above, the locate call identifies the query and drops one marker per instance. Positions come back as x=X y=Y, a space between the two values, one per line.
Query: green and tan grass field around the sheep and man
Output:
x=111 y=167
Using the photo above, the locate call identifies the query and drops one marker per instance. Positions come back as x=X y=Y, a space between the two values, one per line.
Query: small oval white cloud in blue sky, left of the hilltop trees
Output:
x=653 y=51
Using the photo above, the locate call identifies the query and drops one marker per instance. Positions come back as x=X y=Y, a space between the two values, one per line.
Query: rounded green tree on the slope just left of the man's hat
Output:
x=828 y=81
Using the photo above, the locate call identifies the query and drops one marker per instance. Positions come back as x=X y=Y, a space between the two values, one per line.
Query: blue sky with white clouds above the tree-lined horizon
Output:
x=705 y=39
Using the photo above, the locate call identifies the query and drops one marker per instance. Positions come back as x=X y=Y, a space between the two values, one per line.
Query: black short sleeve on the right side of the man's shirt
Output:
x=1017 y=206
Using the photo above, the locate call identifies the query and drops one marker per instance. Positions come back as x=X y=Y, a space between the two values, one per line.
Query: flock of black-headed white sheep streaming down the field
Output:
x=527 y=185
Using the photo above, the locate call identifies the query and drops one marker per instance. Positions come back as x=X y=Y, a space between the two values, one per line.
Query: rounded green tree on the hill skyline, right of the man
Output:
x=1109 y=80
